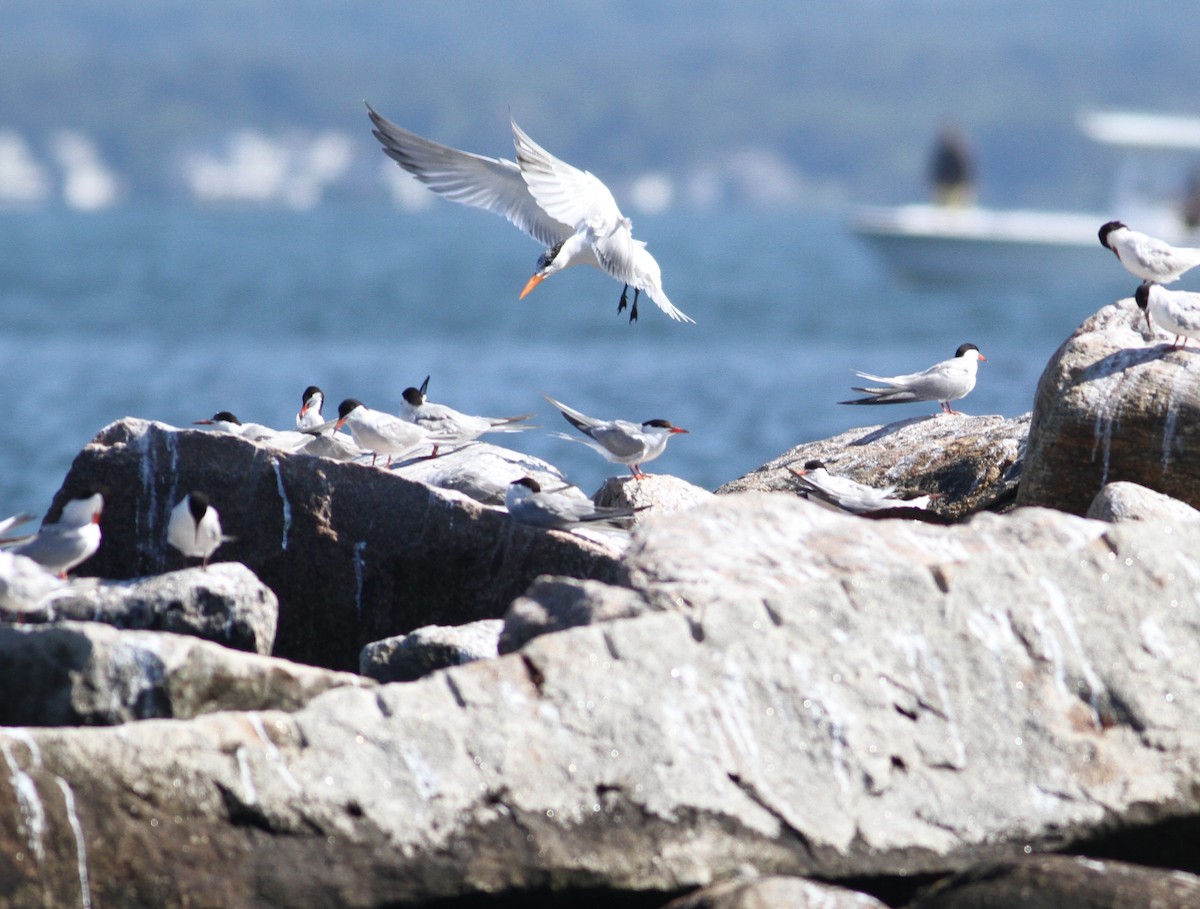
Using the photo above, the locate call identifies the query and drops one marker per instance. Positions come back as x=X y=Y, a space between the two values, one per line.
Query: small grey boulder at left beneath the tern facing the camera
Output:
x=224 y=603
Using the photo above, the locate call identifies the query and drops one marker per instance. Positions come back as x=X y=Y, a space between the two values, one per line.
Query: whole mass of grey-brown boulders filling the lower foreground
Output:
x=387 y=693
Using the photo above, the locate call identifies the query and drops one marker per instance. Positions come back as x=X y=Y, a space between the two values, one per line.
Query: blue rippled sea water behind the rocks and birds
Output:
x=173 y=315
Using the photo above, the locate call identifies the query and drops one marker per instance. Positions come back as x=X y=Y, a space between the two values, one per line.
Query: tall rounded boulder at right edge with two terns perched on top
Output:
x=1115 y=404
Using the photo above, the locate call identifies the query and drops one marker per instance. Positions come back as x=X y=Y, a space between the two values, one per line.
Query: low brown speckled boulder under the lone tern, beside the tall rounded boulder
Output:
x=974 y=463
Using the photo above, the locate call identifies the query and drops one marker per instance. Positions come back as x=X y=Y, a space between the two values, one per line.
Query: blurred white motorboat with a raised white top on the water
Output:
x=932 y=244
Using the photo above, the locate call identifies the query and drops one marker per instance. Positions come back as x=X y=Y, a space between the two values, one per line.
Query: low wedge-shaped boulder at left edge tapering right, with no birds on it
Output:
x=93 y=675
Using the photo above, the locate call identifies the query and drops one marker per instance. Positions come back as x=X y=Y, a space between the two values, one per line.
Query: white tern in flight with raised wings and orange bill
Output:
x=569 y=210
